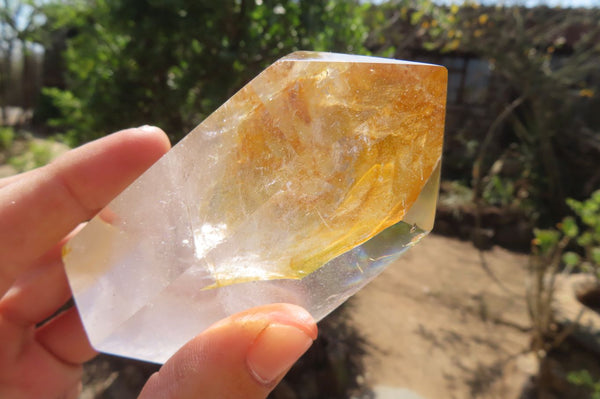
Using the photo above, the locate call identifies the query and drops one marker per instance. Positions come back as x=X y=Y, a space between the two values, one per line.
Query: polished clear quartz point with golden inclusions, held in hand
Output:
x=300 y=188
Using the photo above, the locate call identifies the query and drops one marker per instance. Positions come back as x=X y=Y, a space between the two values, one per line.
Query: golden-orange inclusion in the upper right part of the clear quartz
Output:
x=332 y=150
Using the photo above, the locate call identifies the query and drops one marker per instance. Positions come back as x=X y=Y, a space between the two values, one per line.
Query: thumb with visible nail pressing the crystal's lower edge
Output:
x=243 y=356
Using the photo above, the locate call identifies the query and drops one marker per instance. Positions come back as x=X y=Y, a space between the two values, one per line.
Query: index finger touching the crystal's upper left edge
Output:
x=40 y=208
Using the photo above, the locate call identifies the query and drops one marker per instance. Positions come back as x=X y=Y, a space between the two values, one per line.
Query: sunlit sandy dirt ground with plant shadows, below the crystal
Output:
x=438 y=323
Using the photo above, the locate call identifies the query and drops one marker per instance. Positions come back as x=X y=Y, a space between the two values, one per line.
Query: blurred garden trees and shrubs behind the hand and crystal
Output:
x=523 y=116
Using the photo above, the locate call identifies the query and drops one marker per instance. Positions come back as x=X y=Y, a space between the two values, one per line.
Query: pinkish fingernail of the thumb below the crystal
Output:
x=275 y=350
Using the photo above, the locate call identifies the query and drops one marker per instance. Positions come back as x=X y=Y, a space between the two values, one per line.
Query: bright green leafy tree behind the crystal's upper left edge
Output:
x=171 y=63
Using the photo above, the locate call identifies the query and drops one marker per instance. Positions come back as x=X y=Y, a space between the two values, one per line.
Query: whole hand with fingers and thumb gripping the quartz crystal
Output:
x=243 y=356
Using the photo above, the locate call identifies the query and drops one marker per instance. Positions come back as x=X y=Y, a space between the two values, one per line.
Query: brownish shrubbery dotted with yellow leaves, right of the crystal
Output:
x=542 y=97
